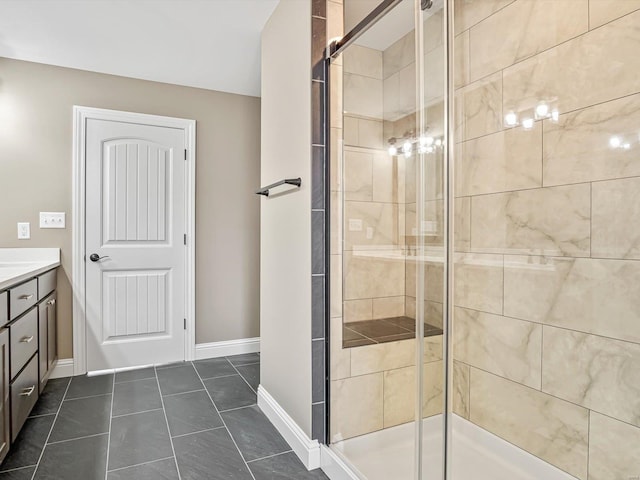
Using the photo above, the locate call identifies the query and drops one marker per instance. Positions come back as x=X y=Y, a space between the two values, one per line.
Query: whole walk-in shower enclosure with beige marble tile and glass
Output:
x=485 y=195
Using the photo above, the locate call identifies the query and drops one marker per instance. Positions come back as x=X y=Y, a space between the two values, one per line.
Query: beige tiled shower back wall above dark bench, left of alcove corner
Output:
x=374 y=267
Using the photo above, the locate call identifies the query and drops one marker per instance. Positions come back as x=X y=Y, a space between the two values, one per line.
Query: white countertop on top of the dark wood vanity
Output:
x=19 y=264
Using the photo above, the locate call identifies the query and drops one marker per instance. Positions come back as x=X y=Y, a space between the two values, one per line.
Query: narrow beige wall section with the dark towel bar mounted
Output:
x=285 y=293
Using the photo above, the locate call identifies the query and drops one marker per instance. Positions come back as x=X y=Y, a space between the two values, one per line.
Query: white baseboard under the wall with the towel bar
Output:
x=306 y=449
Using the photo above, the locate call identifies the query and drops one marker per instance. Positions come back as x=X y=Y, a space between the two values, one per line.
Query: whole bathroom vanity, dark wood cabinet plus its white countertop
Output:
x=27 y=333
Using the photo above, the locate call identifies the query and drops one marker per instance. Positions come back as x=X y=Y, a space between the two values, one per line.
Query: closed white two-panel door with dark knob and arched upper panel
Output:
x=135 y=255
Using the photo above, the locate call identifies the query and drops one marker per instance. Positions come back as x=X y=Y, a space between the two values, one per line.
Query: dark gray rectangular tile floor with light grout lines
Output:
x=186 y=421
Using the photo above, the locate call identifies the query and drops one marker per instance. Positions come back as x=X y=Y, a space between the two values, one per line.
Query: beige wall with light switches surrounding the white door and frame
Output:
x=35 y=175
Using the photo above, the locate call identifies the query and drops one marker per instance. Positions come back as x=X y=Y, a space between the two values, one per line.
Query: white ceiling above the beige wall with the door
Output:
x=212 y=44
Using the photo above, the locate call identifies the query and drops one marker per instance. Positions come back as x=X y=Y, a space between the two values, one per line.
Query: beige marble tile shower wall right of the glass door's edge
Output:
x=547 y=270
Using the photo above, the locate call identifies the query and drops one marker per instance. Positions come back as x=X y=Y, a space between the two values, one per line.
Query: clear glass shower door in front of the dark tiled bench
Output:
x=387 y=376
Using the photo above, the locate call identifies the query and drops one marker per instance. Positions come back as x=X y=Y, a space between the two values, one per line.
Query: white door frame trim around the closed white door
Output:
x=78 y=277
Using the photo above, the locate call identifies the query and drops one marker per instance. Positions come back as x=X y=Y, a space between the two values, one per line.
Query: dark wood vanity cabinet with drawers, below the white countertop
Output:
x=27 y=350
